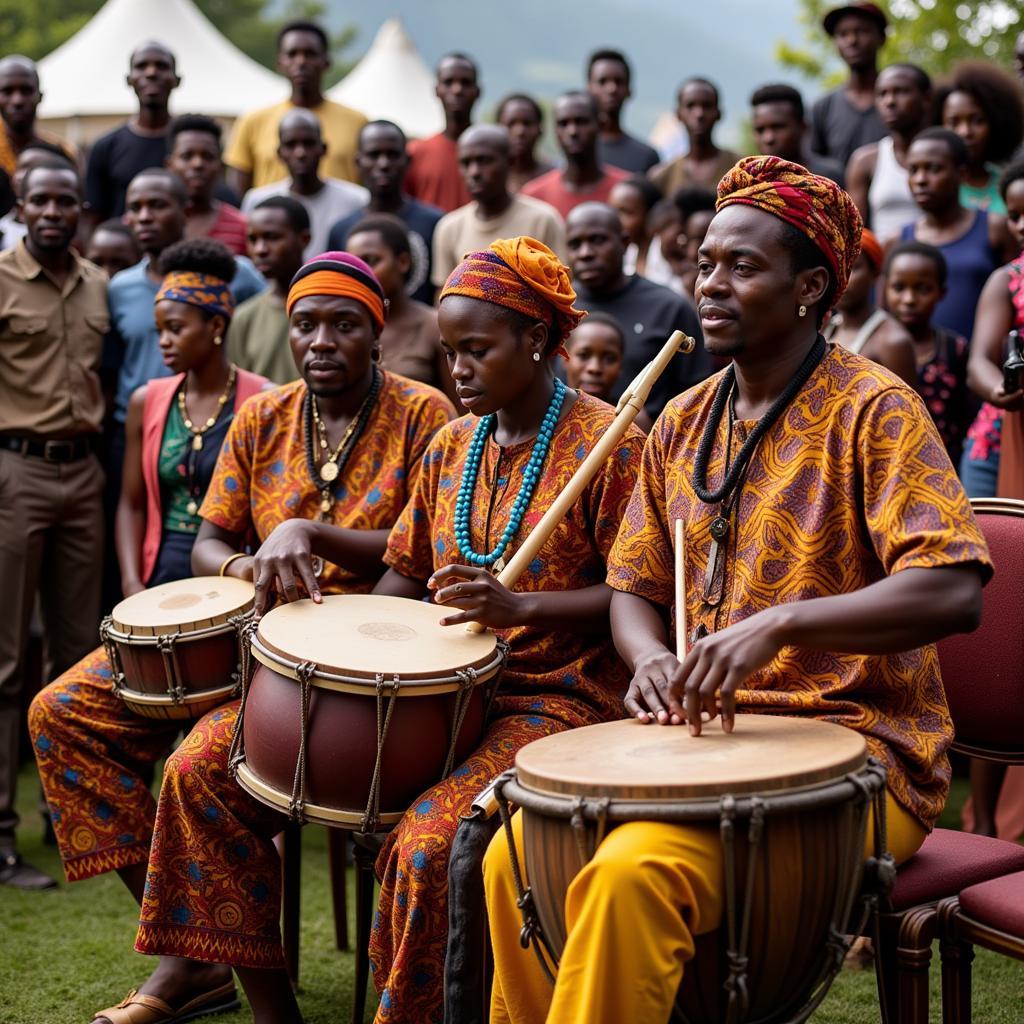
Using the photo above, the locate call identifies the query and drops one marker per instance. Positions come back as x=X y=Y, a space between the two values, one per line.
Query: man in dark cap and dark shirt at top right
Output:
x=846 y=119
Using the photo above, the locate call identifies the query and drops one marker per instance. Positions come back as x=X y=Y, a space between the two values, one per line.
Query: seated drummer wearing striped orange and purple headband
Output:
x=333 y=455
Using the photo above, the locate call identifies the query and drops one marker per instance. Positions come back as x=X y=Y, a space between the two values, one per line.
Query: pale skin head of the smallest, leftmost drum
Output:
x=184 y=605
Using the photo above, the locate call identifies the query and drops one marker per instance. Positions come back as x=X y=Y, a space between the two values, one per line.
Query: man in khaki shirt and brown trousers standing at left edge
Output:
x=53 y=322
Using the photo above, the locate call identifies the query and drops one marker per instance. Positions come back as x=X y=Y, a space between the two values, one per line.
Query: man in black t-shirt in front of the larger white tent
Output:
x=141 y=143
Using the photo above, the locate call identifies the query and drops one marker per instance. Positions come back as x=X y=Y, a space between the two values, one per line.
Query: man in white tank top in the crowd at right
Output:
x=877 y=177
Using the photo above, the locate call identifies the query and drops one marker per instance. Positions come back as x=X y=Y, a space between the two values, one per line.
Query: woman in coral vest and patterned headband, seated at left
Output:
x=177 y=425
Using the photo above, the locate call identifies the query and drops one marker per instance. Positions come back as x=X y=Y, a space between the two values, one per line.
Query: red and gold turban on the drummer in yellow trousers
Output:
x=813 y=204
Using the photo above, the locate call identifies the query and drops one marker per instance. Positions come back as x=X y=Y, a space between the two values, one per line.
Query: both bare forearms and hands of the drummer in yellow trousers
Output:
x=906 y=611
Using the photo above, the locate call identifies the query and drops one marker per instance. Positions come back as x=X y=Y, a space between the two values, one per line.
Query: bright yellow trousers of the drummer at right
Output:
x=631 y=916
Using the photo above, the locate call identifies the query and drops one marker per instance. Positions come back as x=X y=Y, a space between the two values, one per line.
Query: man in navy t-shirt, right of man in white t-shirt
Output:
x=382 y=161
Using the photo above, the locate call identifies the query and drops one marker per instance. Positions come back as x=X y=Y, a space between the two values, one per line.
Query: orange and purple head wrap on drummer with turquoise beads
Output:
x=523 y=275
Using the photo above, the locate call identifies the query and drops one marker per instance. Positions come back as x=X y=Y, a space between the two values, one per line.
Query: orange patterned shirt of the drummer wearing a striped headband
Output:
x=263 y=478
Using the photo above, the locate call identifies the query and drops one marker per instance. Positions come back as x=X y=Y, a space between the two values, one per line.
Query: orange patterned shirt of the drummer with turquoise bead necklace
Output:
x=542 y=663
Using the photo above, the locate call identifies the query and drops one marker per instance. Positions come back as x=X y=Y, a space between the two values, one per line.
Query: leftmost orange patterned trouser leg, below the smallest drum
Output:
x=95 y=755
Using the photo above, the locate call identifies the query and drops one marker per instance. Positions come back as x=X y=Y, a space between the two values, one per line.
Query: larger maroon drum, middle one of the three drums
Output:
x=358 y=706
